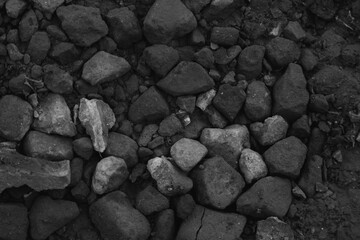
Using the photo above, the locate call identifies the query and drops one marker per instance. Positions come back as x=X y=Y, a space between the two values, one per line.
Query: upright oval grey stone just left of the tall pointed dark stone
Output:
x=257 y=106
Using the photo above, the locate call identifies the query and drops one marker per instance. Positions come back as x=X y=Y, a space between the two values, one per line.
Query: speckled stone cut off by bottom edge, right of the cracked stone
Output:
x=273 y=228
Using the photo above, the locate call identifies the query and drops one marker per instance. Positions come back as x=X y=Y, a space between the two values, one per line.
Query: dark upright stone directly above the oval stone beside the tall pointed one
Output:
x=250 y=61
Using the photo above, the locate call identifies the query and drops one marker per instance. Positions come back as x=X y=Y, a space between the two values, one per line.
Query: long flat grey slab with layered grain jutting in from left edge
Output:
x=17 y=170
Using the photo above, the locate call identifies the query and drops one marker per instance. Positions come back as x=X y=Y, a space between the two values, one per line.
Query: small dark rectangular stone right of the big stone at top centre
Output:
x=226 y=36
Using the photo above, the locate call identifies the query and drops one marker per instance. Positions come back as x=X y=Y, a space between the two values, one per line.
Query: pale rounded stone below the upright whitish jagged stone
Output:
x=109 y=174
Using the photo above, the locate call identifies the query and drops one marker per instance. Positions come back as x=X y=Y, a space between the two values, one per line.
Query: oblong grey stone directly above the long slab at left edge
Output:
x=51 y=147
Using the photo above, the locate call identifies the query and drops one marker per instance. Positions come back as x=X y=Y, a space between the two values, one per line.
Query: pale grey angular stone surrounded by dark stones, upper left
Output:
x=104 y=67
